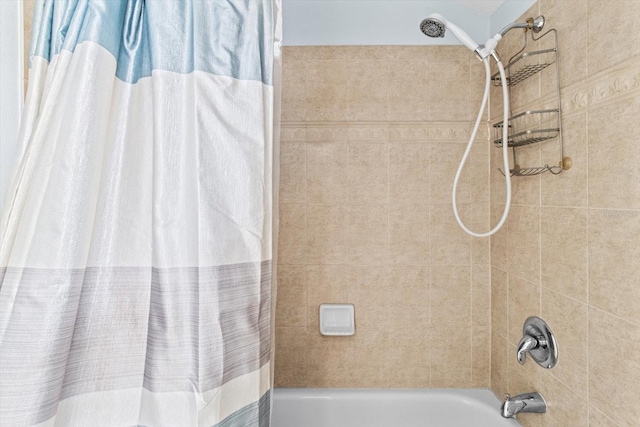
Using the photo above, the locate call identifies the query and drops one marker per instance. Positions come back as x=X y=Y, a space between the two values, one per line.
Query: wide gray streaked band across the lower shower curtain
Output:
x=108 y=328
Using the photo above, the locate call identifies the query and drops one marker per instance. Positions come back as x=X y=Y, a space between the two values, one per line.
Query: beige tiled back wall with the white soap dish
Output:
x=371 y=139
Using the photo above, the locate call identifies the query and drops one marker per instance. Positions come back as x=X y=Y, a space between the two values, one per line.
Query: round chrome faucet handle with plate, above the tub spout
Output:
x=539 y=342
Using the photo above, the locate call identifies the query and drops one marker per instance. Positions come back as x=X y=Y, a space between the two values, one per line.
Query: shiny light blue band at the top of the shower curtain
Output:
x=176 y=34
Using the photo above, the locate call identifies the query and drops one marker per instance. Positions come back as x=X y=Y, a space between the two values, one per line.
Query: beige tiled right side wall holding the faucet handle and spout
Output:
x=571 y=250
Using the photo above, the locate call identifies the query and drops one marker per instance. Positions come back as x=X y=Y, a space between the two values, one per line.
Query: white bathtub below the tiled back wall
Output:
x=299 y=407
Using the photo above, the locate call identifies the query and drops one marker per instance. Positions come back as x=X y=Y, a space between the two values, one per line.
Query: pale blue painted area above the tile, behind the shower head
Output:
x=391 y=22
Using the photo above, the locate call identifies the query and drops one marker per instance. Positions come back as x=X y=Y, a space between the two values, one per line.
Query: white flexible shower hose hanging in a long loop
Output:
x=505 y=152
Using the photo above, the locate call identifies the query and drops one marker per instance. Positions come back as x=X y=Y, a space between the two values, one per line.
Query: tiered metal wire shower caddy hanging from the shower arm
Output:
x=532 y=126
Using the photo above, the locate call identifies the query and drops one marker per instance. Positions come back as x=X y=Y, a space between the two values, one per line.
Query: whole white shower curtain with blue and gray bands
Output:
x=136 y=251
